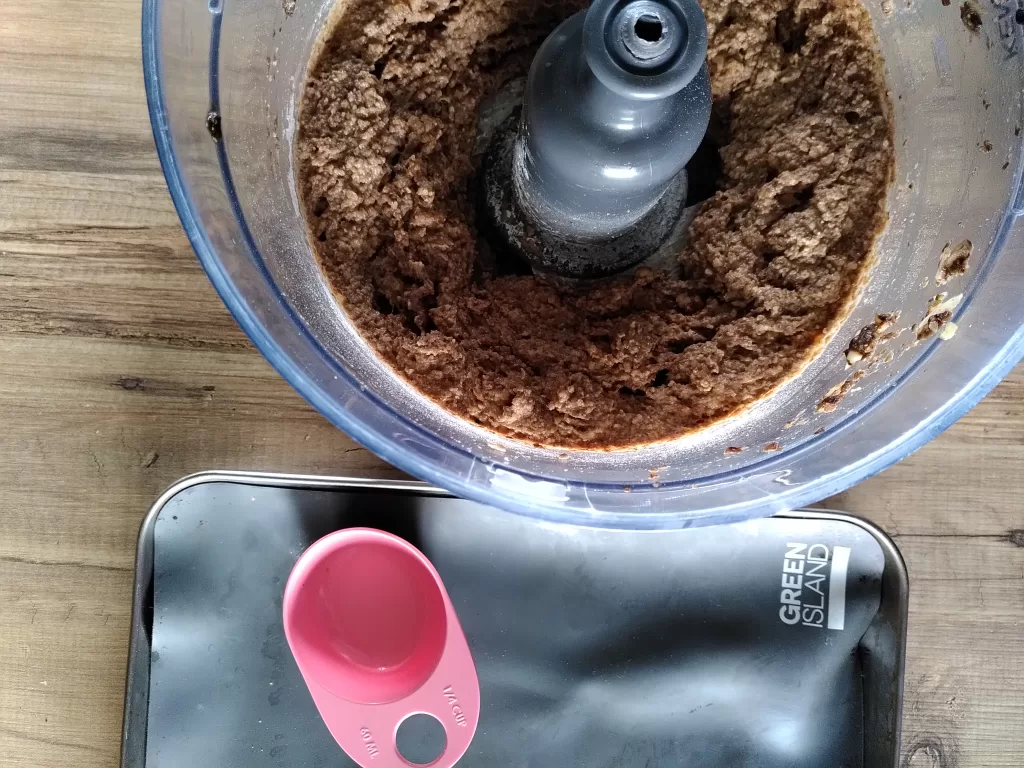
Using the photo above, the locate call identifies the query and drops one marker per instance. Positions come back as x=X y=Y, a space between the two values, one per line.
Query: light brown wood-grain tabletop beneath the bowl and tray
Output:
x=121 y=371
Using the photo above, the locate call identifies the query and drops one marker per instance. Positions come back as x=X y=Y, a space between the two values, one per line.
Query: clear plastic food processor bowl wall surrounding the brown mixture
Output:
x=958 y=97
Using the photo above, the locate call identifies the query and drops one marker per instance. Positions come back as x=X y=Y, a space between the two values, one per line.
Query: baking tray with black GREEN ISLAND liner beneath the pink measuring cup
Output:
x=594 y=648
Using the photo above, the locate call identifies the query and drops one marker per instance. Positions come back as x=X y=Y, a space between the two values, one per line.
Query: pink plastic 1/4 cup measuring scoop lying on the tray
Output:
x=375 y=636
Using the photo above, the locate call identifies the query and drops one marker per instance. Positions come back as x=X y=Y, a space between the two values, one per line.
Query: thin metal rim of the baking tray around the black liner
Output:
x=137 y=703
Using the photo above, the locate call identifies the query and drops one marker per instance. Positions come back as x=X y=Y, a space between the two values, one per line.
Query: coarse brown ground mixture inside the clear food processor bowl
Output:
x=389 y=179
